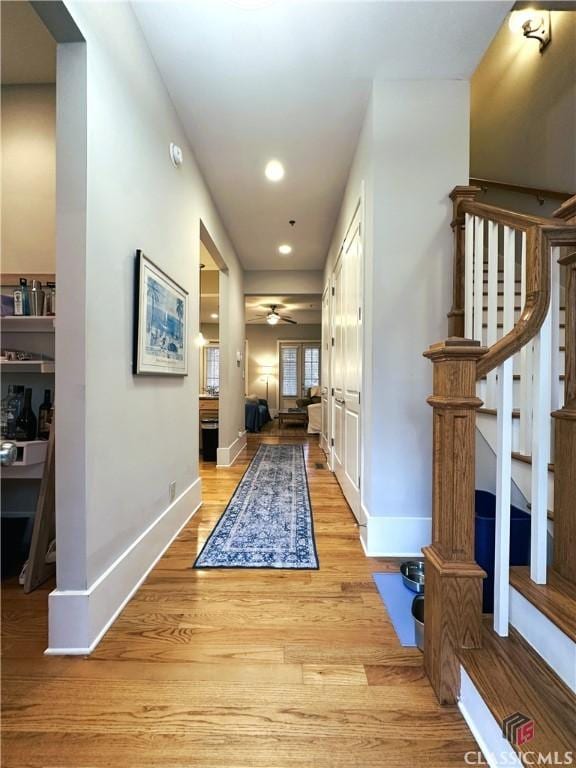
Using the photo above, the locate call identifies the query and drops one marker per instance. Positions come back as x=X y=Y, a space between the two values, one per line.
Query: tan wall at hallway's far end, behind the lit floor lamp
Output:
x=263 y=350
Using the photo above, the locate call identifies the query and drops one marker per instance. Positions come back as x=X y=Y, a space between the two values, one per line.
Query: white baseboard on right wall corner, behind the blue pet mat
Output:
x=394 y=536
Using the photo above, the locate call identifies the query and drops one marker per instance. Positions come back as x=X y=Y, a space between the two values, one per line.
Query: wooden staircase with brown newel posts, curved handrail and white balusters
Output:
x=509 y=369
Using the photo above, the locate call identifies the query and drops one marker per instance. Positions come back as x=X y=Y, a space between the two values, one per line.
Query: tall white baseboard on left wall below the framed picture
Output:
x=78 y=619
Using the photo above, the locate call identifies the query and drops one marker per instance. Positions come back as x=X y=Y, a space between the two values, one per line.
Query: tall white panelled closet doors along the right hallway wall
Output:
x=347 y=366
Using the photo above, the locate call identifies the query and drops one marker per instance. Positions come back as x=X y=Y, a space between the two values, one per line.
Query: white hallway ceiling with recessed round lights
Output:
x=291 y=79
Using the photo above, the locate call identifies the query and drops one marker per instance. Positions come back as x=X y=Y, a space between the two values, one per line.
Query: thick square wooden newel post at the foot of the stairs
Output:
x=453 y=603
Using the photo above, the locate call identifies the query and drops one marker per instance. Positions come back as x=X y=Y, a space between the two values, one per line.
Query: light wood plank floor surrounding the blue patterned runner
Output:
x=232 y=668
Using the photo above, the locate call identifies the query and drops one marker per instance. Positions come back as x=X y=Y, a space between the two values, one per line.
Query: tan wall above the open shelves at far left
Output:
x=28 y=179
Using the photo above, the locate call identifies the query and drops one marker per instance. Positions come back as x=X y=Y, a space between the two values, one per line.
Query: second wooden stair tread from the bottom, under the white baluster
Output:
x=556 y=599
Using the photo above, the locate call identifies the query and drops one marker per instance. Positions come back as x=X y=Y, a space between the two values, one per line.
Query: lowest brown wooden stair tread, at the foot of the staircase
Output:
x=511 y=678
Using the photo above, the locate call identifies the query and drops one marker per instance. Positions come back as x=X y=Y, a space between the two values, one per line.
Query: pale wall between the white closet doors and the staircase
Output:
x=413 y=150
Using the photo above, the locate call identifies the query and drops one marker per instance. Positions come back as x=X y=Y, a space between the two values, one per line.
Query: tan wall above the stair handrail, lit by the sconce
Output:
x=523 y=110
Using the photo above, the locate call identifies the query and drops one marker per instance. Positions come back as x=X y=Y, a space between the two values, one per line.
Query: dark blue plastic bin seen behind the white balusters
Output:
x=485 y=543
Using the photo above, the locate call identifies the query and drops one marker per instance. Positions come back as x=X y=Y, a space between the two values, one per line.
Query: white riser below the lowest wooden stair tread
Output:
x=485 y=728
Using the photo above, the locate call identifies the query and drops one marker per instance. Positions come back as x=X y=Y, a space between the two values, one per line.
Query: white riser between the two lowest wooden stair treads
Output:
x=556 y=648
